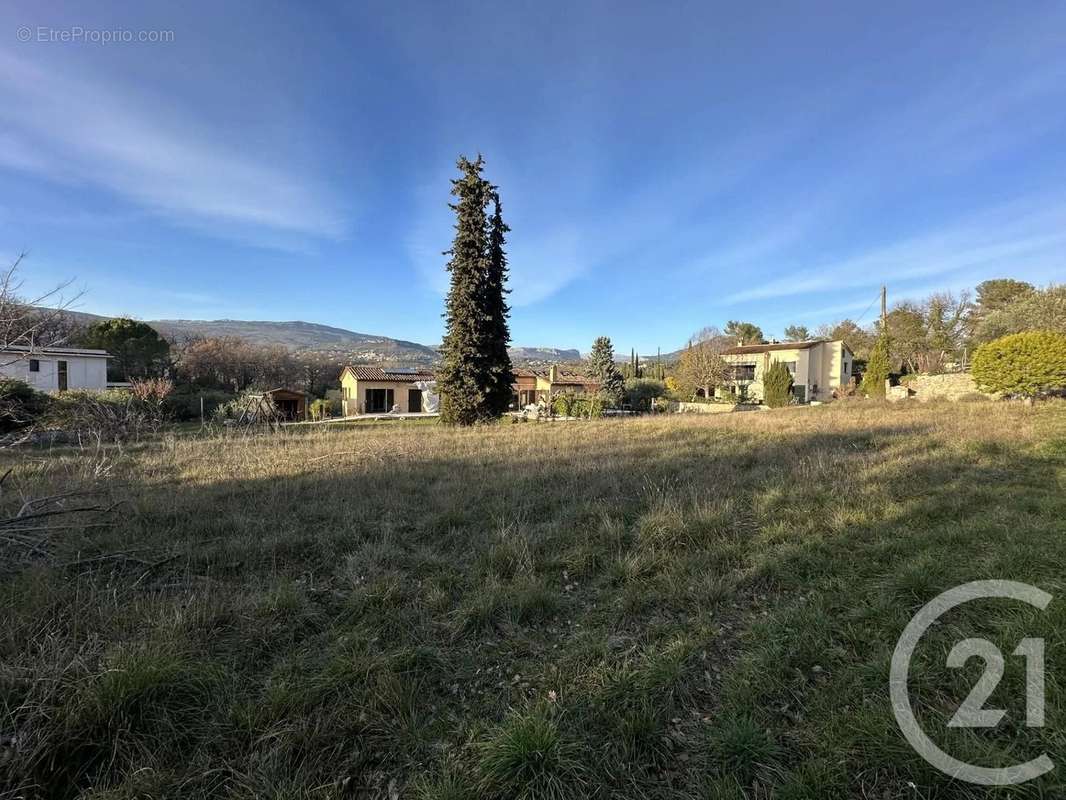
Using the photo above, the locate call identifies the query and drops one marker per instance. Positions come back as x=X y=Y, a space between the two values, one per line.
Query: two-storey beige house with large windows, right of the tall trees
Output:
x=818 y=367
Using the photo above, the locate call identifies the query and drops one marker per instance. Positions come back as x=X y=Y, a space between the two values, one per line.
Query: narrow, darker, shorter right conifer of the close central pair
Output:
x=500 y=375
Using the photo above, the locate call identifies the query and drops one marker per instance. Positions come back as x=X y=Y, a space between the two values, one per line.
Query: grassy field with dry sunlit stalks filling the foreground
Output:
x=683 y=607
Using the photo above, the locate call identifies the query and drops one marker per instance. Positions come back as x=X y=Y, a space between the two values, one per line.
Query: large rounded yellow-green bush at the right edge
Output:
x=1023 y=365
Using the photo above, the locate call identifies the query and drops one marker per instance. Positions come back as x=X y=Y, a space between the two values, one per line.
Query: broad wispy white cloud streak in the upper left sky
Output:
x=74 y=130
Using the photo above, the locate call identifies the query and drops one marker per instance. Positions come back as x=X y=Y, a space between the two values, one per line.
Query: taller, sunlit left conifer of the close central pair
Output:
x=462 y=379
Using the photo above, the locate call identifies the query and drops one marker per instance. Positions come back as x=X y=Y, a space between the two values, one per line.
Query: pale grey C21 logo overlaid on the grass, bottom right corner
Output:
x=973 y=712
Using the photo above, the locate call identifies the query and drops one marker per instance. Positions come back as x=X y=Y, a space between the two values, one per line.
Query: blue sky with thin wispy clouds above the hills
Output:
x=664 y=167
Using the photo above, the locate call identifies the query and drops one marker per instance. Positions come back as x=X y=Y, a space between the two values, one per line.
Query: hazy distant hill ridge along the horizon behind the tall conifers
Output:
x=311 y=337
